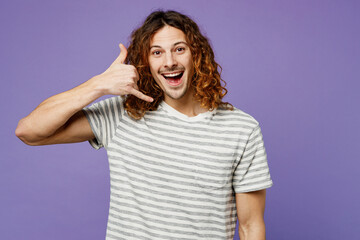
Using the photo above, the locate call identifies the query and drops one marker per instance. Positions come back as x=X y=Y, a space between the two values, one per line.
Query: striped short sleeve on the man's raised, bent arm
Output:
x=103 y=117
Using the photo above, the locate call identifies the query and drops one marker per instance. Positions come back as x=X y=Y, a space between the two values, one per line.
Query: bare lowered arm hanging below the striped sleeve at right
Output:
x=250 y=209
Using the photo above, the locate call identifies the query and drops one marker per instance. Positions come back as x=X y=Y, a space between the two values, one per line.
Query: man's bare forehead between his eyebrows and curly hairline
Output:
x=167 y=36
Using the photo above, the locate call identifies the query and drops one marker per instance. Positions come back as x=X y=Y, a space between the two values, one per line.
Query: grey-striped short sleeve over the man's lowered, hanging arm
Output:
x=252 y=170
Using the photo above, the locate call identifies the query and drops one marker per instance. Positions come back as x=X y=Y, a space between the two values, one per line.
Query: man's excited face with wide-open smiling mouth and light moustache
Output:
x=171 y=63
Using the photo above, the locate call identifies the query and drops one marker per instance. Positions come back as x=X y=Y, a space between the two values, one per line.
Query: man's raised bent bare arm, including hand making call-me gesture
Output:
x=59 y=119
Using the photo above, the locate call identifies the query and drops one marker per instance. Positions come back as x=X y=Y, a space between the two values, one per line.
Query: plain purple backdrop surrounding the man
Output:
x=293 y=65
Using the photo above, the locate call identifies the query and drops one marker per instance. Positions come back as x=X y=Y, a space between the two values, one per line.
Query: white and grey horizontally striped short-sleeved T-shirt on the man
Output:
x=174 y=176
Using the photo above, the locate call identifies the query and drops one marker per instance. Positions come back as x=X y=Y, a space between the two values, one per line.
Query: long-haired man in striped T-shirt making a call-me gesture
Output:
x=183 y=164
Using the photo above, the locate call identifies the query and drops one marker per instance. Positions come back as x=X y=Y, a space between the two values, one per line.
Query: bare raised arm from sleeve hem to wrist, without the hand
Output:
x=59 y=119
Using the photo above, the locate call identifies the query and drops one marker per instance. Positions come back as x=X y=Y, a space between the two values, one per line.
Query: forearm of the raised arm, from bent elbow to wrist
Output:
x=55 y=111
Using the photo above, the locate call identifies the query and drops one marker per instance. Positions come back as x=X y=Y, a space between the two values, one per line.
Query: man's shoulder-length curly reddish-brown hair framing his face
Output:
x=206 y=79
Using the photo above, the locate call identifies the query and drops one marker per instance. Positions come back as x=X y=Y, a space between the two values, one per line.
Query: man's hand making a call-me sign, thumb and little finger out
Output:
x=120 y=79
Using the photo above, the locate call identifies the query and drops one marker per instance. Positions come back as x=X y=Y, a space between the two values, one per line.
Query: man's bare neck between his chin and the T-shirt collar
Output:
x=186 y=105
